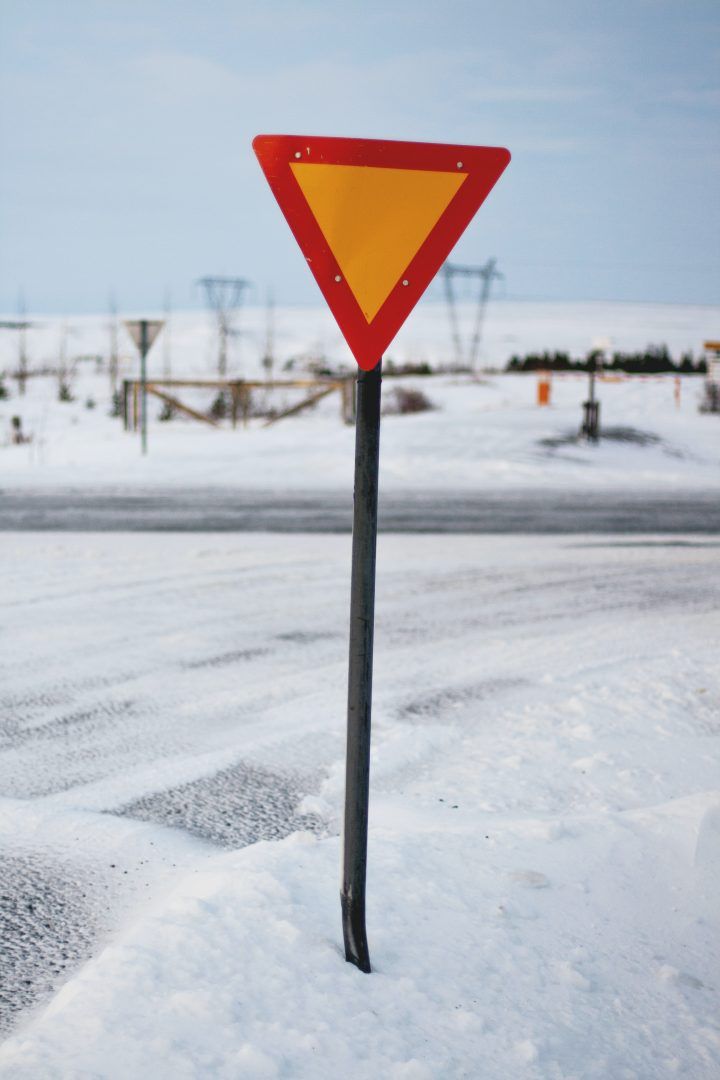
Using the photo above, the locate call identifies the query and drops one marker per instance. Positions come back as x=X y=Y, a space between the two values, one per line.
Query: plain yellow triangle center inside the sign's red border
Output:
x=375 y=221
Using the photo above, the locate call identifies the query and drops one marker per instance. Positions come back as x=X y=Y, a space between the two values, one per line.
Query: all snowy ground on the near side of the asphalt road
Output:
x=546 y=808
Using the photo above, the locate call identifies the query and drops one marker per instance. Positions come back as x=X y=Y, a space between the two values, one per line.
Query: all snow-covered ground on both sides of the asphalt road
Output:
x=546 y=796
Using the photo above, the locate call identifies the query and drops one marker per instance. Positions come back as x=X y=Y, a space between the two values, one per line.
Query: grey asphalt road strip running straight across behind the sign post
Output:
x=220 y=510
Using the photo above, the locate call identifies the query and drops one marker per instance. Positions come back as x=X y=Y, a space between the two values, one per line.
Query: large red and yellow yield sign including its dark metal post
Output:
x=330 y=191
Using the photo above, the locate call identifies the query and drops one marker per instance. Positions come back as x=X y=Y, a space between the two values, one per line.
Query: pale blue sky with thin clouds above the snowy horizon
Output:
x=126 y=131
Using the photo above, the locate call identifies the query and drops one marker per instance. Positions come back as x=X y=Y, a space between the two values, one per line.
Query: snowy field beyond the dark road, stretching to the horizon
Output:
x=488 y=435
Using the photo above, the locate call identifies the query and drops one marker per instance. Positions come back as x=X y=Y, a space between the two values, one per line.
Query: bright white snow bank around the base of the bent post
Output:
x=523 y=947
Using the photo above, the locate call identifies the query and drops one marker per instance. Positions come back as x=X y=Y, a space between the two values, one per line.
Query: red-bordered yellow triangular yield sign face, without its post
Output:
x=376 y=221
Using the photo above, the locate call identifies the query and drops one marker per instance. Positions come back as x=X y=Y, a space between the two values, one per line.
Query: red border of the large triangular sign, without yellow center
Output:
x=484 y=167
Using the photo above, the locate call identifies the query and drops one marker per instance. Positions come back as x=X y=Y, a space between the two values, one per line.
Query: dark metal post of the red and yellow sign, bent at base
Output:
x=360 y=677
